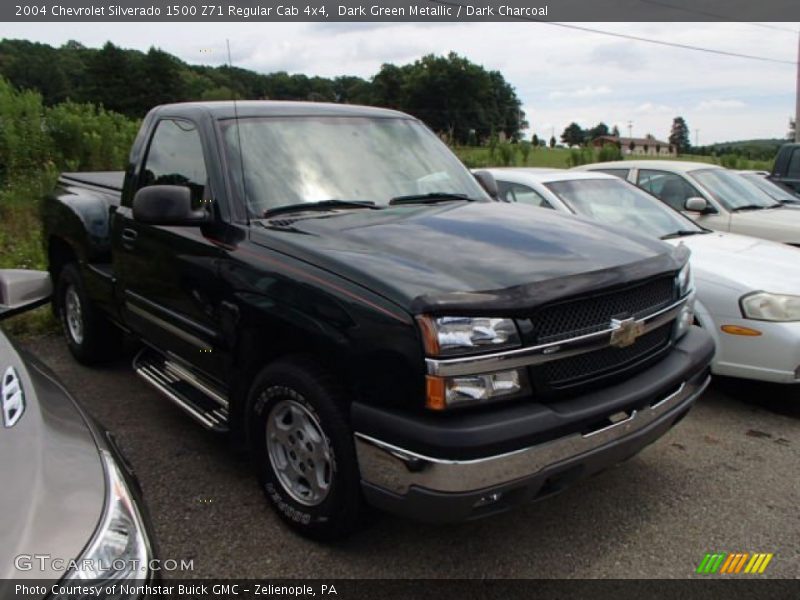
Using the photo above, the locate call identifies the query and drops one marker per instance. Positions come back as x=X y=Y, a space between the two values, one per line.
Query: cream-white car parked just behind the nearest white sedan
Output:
x=714 y=197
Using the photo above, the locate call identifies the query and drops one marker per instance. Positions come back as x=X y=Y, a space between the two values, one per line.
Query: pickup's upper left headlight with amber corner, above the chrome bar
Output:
x=447 y=336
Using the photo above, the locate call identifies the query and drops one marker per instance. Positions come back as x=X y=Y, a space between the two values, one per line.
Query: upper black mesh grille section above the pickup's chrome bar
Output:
x=587 y=315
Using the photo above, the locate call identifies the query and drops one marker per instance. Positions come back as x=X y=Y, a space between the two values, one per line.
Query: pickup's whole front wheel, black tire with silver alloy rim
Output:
x=303 y=450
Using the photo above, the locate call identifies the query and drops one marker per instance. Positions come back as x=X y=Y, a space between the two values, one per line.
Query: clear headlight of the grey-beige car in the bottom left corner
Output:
x=120 y=549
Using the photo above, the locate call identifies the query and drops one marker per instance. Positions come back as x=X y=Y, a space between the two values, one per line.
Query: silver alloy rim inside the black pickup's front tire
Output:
x=299 y=452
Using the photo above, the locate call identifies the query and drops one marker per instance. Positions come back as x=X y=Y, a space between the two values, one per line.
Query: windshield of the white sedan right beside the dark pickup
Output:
x=616 y=202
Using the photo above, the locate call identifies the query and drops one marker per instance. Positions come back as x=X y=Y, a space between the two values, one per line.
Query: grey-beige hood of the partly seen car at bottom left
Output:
x=52 y=486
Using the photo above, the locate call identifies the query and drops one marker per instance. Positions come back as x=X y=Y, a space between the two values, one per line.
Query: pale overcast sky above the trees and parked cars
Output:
x=560 y=75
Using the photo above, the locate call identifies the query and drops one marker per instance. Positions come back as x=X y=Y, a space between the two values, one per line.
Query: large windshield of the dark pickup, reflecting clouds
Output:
x=294 y=160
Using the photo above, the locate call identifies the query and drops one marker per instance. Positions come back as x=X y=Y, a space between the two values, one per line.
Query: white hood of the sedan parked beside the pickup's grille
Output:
x=745 y=263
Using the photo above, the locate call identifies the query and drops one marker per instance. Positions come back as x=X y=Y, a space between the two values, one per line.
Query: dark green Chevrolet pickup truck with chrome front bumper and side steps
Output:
x=330 y=285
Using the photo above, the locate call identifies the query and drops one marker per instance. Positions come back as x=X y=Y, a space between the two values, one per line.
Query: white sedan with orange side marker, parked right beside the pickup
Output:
x=748 y=290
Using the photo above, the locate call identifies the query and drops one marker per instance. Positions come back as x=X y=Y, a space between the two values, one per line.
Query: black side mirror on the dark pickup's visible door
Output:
x=166 y=205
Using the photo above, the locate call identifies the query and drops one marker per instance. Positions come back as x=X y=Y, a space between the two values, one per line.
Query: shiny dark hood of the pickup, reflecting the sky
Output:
x=469 y=256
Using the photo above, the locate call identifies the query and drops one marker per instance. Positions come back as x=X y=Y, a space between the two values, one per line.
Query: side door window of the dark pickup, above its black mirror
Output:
x=175 y=157
